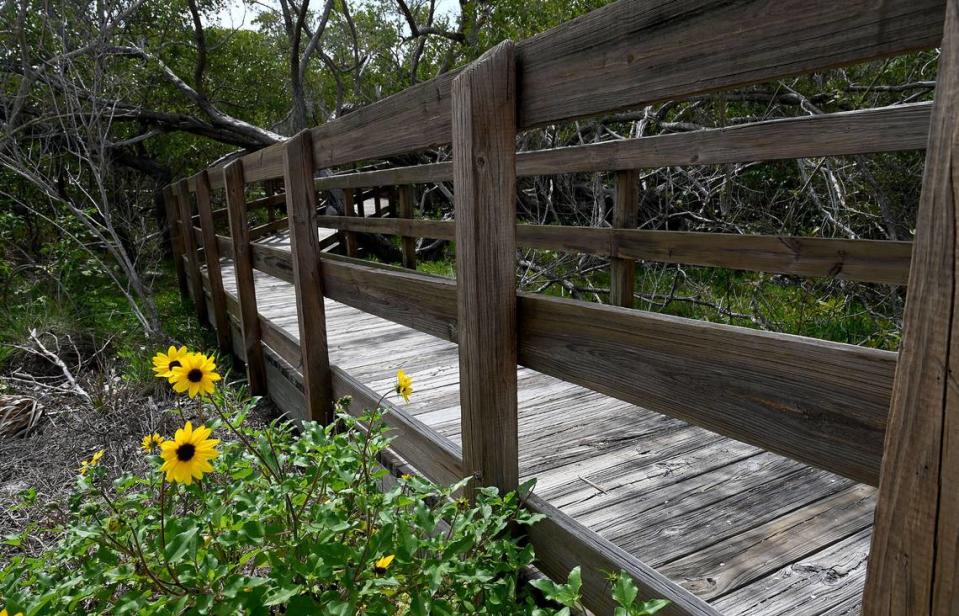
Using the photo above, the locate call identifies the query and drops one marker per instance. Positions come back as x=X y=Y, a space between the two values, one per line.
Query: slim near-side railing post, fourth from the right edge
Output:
x=243 y=271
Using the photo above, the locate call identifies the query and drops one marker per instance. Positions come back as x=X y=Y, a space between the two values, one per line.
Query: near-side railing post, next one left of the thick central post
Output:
x=307 y=276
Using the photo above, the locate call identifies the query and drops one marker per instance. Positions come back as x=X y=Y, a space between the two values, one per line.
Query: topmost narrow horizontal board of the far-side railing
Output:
x=868 y=131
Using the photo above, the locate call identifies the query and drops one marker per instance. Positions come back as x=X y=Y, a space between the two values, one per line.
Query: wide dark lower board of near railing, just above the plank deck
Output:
x=819 y=402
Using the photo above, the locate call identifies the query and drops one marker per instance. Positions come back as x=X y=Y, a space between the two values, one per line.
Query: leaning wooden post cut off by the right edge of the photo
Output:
x=914 y=561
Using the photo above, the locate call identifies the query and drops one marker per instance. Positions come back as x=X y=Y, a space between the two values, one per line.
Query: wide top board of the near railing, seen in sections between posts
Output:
x=633 y=53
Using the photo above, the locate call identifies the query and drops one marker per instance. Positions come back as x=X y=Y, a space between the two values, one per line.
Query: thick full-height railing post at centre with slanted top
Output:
x=484 y=177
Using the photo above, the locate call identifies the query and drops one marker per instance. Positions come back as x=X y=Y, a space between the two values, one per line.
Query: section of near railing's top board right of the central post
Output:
x=629 y=54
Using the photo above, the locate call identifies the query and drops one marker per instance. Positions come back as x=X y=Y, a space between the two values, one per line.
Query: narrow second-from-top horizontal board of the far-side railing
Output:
x=878 y=261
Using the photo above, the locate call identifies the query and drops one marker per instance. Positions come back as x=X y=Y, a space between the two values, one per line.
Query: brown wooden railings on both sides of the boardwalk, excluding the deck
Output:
x=823 y=403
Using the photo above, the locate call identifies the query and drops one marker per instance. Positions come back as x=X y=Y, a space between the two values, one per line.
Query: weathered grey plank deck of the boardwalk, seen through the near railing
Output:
x=749 y=531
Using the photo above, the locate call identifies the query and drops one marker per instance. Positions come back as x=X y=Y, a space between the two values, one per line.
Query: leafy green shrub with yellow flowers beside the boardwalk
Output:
x=290 y=521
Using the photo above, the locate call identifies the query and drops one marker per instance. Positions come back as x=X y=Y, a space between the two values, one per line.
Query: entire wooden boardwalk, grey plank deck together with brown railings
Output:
x=717 y=524
